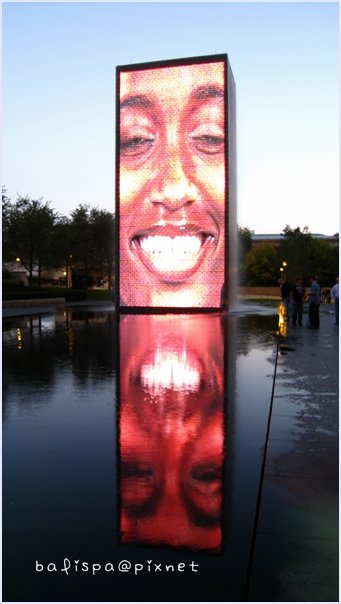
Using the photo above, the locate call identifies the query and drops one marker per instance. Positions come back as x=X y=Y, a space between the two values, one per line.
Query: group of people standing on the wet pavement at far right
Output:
x=294 y=296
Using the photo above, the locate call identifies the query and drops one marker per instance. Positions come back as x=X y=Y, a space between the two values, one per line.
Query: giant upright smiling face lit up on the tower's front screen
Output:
x=172 y=185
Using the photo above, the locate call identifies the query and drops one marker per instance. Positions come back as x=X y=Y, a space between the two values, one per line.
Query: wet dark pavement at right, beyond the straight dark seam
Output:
x=296 y=546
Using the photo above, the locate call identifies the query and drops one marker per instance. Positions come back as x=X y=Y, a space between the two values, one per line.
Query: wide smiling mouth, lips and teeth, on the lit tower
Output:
x=173 y=253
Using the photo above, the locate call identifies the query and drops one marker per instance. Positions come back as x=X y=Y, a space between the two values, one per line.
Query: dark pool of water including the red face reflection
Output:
x=140 y=441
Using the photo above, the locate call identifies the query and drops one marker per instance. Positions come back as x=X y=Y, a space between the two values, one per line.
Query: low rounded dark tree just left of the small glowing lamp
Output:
x=261 y=266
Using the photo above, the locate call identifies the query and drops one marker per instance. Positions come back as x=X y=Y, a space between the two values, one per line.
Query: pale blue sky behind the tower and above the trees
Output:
x=58 y=89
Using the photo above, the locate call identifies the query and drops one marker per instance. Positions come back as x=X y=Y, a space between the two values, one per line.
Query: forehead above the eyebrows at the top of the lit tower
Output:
x=172 y=81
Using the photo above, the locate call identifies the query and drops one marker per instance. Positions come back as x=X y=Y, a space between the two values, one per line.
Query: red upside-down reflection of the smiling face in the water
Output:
x=171 y=435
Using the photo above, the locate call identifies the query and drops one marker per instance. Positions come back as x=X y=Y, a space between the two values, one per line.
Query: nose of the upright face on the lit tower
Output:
x=173 y=189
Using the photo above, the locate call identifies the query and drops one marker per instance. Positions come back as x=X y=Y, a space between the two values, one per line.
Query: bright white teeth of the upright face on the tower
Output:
x=171 y=253
